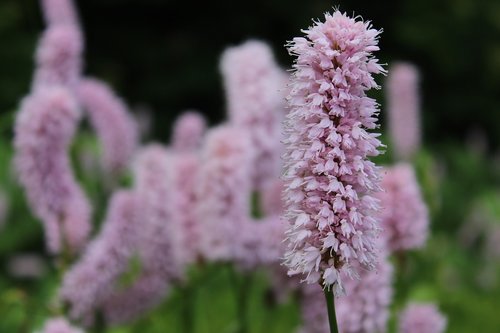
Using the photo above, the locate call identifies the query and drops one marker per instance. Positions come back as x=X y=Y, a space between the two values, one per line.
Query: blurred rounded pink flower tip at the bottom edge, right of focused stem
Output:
x=420 y=318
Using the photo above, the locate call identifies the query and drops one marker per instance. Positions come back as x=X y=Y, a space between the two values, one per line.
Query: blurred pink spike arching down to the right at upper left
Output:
x=115 y=127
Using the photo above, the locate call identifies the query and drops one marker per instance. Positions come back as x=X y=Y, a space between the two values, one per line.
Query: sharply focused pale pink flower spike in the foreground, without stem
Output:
x=329 y=180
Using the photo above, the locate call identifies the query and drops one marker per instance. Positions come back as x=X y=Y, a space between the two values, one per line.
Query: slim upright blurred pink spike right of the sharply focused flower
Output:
x=403 y=99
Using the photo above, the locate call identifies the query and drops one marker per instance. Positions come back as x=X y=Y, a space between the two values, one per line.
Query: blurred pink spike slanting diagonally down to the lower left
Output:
x=90 y=281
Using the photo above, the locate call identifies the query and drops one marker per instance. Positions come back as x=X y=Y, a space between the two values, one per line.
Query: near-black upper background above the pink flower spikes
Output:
x=164 y=54
